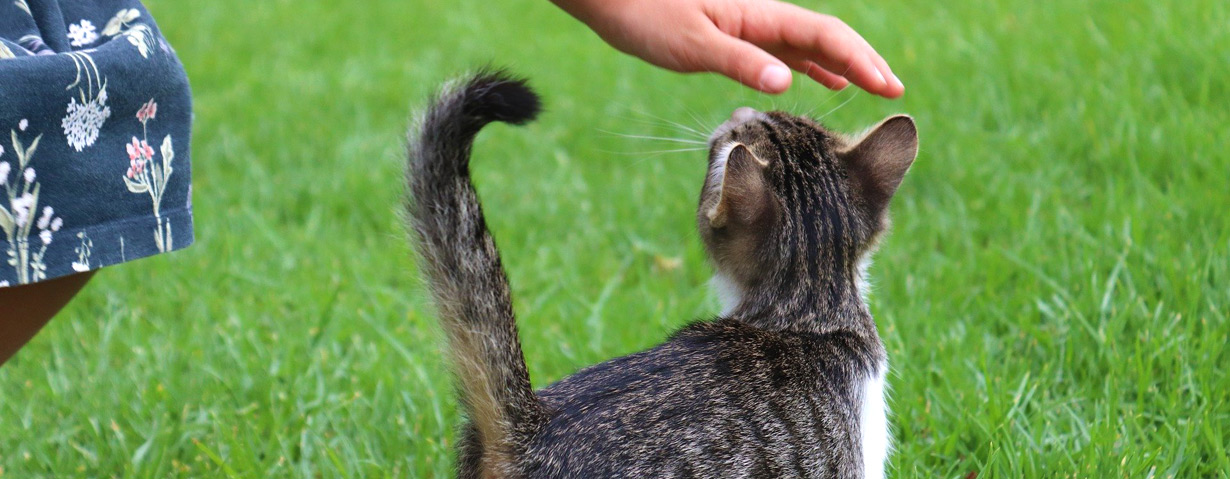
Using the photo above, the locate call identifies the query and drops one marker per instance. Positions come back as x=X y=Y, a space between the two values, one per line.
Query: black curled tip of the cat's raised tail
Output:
x=498 y=95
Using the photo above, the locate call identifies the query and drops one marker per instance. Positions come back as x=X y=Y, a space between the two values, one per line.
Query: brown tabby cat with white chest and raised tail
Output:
x=789 y=382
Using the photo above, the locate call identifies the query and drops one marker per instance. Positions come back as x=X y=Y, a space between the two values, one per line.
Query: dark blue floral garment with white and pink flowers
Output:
x=95 y=118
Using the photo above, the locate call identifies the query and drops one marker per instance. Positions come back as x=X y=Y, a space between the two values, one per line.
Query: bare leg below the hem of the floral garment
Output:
x=25 y=310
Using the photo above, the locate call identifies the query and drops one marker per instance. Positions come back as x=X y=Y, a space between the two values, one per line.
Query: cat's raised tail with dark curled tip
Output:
x=463 y=267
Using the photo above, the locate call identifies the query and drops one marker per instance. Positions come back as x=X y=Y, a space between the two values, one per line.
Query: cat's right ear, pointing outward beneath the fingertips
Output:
x=880 y=159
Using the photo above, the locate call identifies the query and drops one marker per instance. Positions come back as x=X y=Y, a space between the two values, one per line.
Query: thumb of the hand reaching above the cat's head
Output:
x=746 y=63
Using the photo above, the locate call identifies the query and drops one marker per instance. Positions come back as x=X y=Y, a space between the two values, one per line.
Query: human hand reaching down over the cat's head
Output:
x=751 y=41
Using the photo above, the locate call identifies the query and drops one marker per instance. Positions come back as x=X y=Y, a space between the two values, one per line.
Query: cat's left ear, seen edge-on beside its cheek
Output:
x=745 y=194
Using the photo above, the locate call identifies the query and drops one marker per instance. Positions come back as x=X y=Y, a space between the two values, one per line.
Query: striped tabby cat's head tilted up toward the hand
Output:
x=785 y=196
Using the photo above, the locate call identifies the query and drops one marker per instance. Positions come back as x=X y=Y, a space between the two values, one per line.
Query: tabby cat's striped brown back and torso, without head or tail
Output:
x=719 y=400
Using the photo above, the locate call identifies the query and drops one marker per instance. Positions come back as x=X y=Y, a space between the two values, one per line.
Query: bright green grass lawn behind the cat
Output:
x=1055 y=297
